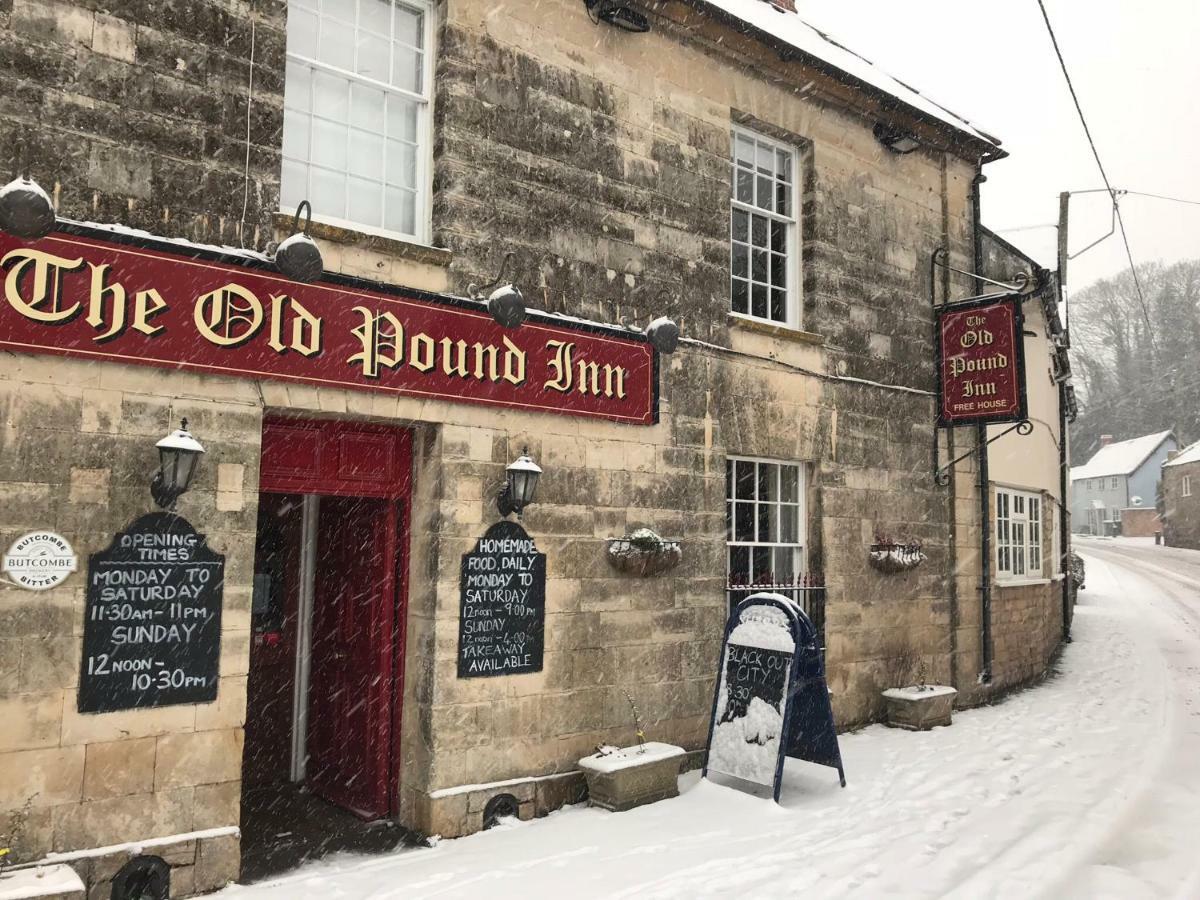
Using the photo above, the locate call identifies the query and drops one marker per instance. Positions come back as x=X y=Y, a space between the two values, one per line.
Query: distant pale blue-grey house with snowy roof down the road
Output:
x=1120 y=476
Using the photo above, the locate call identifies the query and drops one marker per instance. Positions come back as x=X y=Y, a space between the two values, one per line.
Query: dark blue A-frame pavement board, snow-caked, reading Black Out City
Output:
x=771 y=701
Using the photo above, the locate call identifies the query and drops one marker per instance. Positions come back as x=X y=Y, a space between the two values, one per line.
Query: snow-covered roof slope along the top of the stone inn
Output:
x=791 y=29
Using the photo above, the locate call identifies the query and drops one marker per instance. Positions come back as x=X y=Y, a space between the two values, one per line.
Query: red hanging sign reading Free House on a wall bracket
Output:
x=981 y=362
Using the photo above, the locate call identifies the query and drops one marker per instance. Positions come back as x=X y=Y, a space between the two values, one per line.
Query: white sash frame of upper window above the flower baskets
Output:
x=793 y=315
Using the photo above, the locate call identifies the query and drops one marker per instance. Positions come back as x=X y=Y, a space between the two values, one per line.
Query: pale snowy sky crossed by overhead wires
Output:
x=1137 y=70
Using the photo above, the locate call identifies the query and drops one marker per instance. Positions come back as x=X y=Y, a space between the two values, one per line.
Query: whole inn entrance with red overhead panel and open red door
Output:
x=320 y=770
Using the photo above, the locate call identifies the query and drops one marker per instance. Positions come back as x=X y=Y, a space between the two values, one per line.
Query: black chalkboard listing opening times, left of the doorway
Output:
x=153 y=619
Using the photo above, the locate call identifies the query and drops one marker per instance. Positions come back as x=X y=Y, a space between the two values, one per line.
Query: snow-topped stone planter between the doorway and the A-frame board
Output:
x=633 y=776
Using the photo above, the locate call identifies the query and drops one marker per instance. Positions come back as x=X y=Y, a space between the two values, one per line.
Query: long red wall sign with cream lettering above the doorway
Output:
x=79 y=295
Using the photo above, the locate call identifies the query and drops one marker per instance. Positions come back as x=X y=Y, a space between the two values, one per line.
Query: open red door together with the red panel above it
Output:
x=363 y=477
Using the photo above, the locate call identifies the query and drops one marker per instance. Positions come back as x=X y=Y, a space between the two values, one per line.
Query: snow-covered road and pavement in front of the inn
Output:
x=1088 y=787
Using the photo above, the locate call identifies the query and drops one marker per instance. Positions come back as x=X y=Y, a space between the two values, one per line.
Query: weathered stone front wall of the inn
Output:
x=605 y=164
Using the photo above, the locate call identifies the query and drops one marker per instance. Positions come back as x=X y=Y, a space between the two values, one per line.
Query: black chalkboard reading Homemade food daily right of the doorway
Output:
x=502 y=605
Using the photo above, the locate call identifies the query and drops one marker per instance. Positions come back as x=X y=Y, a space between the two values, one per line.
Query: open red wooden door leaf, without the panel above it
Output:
x=351 y=689
